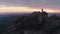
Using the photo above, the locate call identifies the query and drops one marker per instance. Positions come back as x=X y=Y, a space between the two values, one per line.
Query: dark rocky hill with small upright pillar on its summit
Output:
x=36 y=22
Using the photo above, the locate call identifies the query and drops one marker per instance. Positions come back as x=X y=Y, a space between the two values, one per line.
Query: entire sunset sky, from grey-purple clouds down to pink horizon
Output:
x=51 y=6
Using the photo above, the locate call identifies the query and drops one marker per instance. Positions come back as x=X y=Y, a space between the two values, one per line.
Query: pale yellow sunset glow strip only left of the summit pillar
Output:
x=17 y=9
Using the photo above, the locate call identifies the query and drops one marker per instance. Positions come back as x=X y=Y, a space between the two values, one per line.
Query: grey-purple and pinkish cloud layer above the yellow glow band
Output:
x=33 y=3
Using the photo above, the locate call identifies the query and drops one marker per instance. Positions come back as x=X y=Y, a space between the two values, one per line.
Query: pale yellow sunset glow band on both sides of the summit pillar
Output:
x=24 y=9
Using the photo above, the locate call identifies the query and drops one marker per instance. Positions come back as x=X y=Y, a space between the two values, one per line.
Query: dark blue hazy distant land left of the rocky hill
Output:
x=7 y=20
